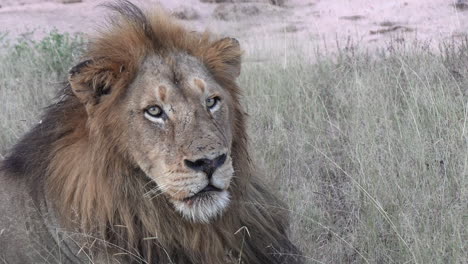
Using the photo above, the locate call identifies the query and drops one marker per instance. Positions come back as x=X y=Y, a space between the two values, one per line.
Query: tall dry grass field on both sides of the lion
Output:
x=370 y=150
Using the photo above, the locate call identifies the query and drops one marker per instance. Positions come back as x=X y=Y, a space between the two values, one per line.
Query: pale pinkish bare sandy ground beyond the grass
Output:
x=366 y=22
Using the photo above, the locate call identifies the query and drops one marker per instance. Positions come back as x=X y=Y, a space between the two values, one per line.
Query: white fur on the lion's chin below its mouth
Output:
x=204 y=209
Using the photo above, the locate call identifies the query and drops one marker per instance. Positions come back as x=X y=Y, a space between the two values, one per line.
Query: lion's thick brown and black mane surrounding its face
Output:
x=84 y=171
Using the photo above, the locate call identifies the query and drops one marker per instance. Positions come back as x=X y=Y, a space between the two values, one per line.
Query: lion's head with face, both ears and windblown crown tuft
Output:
x=175 y=118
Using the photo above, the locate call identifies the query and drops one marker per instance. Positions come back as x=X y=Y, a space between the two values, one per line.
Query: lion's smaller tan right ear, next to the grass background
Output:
x=225 y=55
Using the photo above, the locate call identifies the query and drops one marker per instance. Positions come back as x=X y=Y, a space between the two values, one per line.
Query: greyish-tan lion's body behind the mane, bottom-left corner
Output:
x=24 y=237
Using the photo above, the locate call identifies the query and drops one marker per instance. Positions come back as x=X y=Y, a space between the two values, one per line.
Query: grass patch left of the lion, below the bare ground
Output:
x=30 y=74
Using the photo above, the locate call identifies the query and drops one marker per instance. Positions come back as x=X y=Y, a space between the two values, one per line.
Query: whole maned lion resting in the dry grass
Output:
x=143 y=158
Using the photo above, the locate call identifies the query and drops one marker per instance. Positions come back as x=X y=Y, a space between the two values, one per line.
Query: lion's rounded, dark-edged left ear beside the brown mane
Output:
x=91 y=79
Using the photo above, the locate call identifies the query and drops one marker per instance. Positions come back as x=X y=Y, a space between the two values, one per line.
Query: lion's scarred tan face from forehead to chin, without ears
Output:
x=180 y=132
